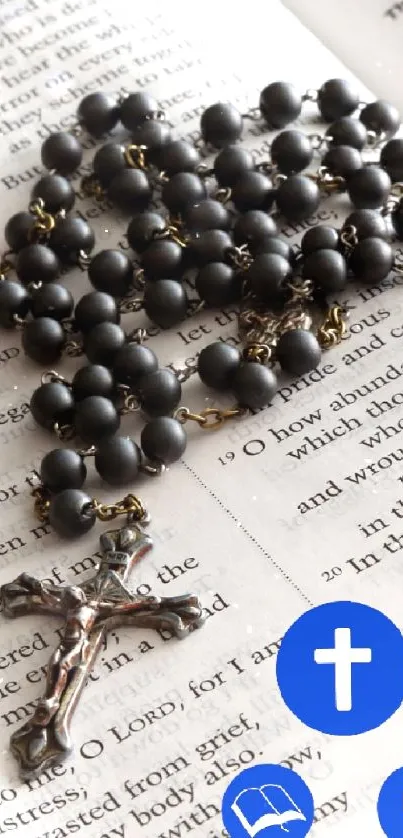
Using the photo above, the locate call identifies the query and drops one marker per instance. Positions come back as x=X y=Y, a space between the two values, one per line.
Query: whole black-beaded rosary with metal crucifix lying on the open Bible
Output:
x=213 y=243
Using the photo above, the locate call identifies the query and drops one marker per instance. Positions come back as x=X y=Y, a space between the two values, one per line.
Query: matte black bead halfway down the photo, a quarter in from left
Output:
x=96 y=419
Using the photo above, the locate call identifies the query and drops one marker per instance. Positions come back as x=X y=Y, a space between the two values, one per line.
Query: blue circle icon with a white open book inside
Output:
x=267 y=801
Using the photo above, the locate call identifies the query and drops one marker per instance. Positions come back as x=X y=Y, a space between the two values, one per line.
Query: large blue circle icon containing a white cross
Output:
x=340 y=668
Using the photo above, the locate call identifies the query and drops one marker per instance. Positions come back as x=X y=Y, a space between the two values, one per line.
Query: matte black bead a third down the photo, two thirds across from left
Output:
x=267 y=276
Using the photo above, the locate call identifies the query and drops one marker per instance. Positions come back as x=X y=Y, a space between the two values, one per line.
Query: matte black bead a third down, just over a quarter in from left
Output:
x=111 y=271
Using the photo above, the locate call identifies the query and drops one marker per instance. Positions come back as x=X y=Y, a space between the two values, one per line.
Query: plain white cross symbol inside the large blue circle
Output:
x=343 y=656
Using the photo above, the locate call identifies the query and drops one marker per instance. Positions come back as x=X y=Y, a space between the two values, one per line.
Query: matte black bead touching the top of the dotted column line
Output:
x=163 y=440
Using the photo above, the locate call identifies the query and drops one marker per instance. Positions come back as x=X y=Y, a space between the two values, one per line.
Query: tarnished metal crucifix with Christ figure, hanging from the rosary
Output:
x=90 y=611
